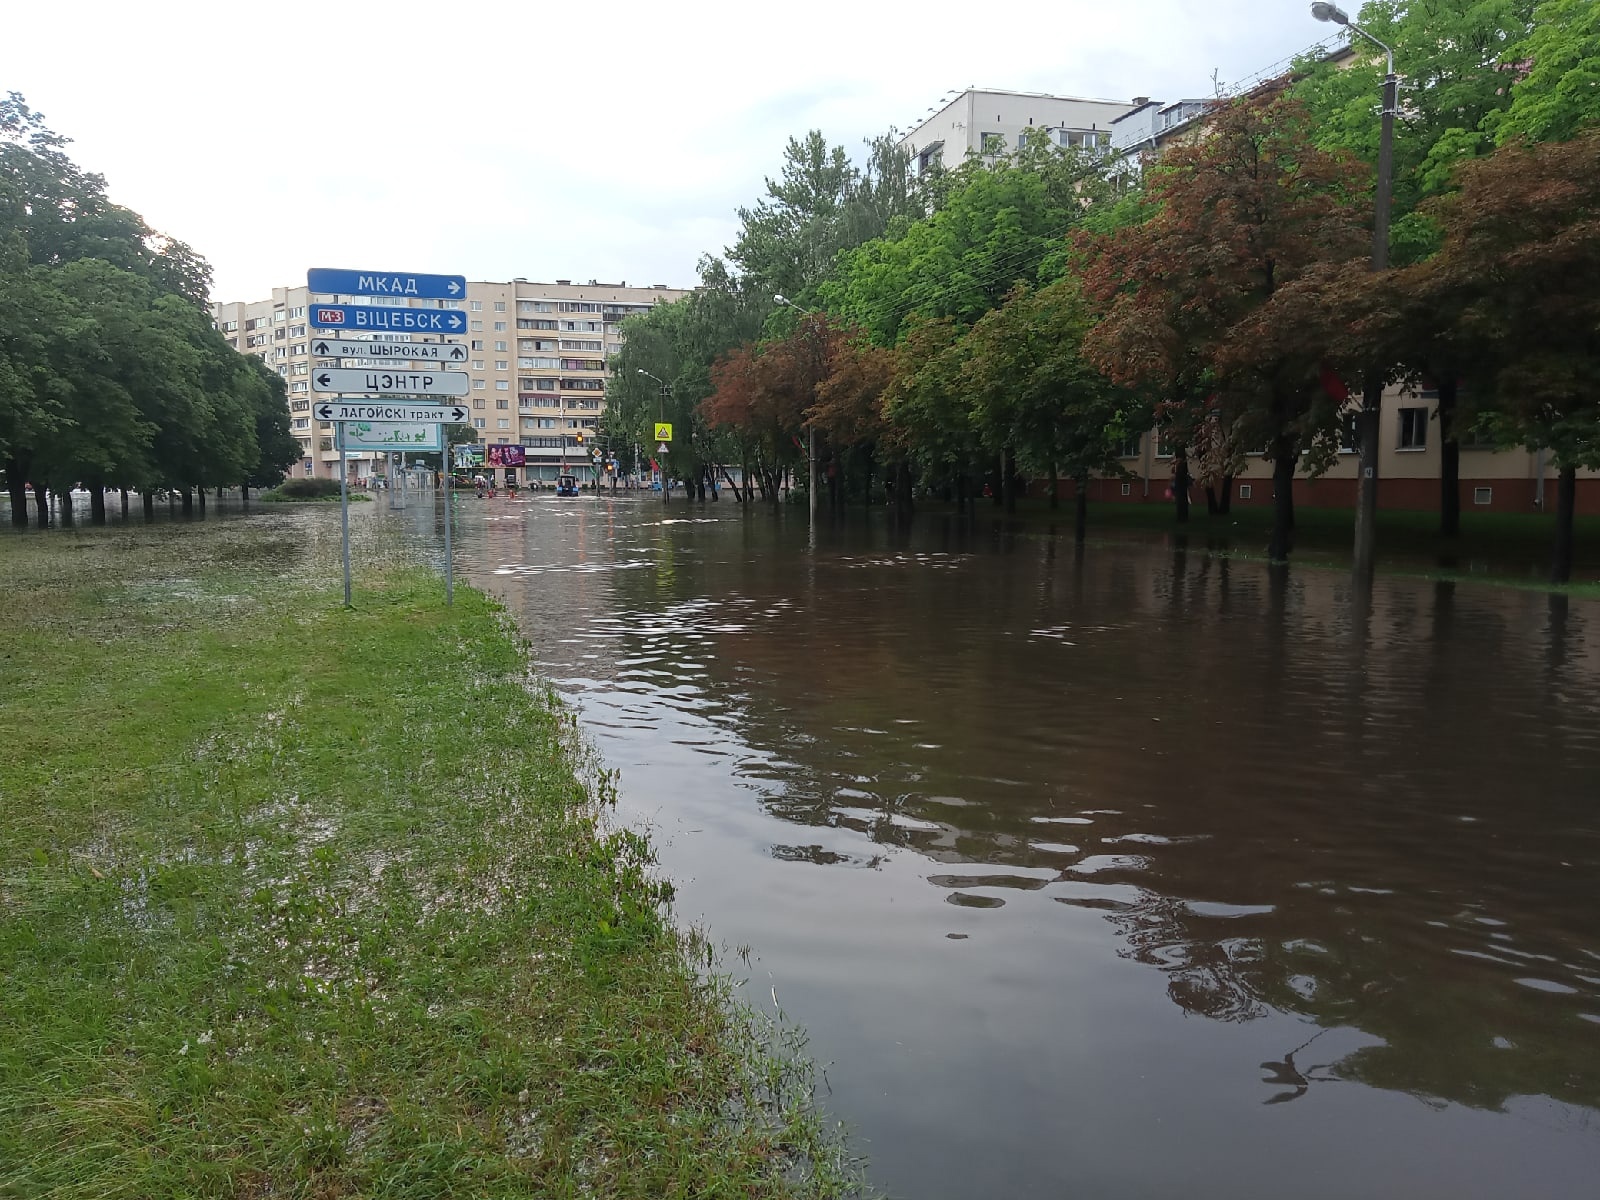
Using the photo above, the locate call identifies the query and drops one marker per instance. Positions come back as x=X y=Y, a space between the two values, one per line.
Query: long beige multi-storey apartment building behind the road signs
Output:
x=537 y=353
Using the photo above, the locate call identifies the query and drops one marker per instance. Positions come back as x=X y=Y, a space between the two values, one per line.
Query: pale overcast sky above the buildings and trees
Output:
x=599 y=140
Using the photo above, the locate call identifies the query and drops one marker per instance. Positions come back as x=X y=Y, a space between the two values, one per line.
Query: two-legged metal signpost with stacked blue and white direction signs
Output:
x=414 y=374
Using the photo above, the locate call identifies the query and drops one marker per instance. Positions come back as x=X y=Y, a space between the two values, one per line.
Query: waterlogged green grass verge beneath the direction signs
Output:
x=311 y=902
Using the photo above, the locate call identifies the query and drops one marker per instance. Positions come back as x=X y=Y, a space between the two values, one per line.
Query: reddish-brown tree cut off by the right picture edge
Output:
x=1521 y=270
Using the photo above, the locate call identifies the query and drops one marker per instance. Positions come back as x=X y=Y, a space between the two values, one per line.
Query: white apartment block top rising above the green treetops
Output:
x=994 y=122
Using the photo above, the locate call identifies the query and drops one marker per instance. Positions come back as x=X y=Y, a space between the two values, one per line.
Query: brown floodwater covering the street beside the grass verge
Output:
x=1124 y=874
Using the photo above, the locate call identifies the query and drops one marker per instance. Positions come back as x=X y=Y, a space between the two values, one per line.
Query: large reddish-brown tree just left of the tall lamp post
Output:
x=1228 y=287
